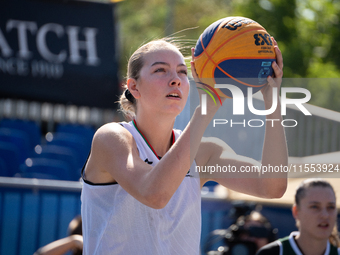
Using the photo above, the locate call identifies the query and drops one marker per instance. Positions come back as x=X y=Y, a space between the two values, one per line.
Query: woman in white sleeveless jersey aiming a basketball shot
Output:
x=141 y=194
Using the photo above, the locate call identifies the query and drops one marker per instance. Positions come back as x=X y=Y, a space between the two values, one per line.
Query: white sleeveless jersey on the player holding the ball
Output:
x=114 y=222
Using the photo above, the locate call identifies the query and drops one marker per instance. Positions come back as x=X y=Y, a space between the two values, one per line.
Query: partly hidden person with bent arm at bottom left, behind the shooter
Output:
x=74 y=242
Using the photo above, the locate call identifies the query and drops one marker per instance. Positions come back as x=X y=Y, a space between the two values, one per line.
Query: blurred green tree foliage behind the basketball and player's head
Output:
x=307 y=32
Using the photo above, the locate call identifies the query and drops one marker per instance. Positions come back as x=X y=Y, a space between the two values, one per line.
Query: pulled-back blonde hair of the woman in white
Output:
x=128 y=105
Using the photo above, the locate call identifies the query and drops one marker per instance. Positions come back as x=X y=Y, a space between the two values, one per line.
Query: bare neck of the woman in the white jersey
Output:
x=157 y=131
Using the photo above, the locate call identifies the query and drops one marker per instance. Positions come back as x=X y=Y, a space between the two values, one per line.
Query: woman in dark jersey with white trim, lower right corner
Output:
x=315 y=213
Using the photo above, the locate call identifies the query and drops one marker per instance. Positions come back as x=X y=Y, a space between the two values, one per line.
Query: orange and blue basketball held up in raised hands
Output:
x=236 y=51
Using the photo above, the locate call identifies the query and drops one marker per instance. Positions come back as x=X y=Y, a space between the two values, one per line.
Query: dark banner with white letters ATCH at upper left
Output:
x=59 y=52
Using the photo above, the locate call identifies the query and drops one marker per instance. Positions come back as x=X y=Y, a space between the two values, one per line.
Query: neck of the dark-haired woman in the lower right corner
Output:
x=311 y=246
